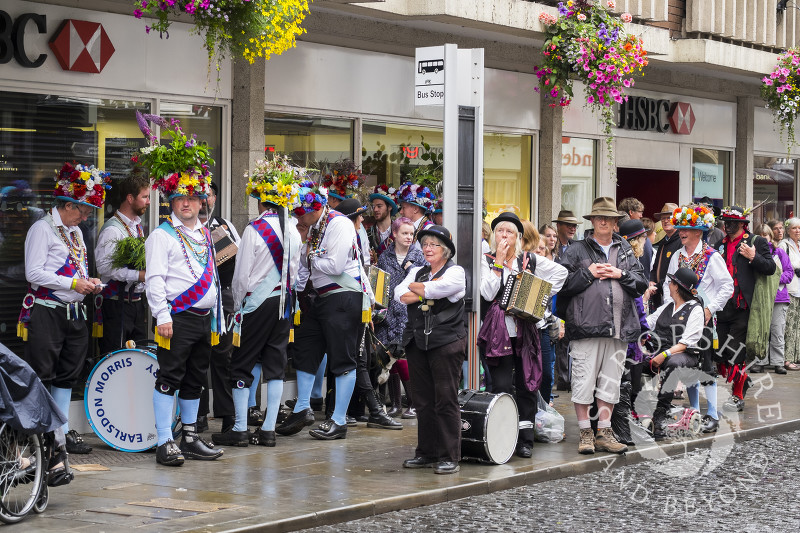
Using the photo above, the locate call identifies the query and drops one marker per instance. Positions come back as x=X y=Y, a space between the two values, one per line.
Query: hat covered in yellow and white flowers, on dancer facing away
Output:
x=275 y=181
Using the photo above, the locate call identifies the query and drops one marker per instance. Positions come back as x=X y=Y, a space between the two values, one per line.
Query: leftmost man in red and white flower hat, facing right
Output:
x=53 y=317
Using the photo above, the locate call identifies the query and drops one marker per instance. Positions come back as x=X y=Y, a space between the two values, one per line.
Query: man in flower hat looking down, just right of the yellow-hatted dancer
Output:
x=334 y=303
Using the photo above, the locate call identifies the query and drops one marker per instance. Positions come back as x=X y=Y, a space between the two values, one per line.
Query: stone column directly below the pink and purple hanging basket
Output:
x=549 y=186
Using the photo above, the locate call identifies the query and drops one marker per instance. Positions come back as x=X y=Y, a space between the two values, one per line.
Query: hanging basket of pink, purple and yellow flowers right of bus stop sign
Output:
x=589 y=43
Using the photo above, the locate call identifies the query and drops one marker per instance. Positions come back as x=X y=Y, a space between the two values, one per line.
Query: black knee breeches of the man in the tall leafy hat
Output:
x=183 y=367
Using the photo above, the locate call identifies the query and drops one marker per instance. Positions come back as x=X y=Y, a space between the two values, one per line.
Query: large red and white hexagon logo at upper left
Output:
x=82 y=46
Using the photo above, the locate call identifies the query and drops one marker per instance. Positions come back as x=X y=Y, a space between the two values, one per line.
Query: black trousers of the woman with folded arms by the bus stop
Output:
x=434 y=378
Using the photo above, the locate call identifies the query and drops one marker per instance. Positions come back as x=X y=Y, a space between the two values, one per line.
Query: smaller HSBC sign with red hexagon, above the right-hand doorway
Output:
x=646 y=114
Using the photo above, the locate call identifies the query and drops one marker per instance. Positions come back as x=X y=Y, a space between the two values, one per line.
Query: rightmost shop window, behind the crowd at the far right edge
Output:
x=773 y=184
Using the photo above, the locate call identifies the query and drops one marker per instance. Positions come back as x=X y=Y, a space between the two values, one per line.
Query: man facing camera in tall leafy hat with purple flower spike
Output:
x=183 y=288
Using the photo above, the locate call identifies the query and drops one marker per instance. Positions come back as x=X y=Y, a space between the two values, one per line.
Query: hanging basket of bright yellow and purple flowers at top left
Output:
x=234 y=28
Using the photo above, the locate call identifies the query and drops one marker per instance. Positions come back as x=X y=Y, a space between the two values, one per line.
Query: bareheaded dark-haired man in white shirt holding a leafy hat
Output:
x=124 y=314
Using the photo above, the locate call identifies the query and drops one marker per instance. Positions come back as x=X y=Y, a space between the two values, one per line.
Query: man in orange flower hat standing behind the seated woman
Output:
x=714 y=285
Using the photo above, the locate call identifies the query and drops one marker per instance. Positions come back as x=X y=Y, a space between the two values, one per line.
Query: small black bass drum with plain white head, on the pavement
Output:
x=489 y=426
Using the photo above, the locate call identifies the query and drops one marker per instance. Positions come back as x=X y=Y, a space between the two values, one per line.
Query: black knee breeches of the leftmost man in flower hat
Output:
x=57 y=346
